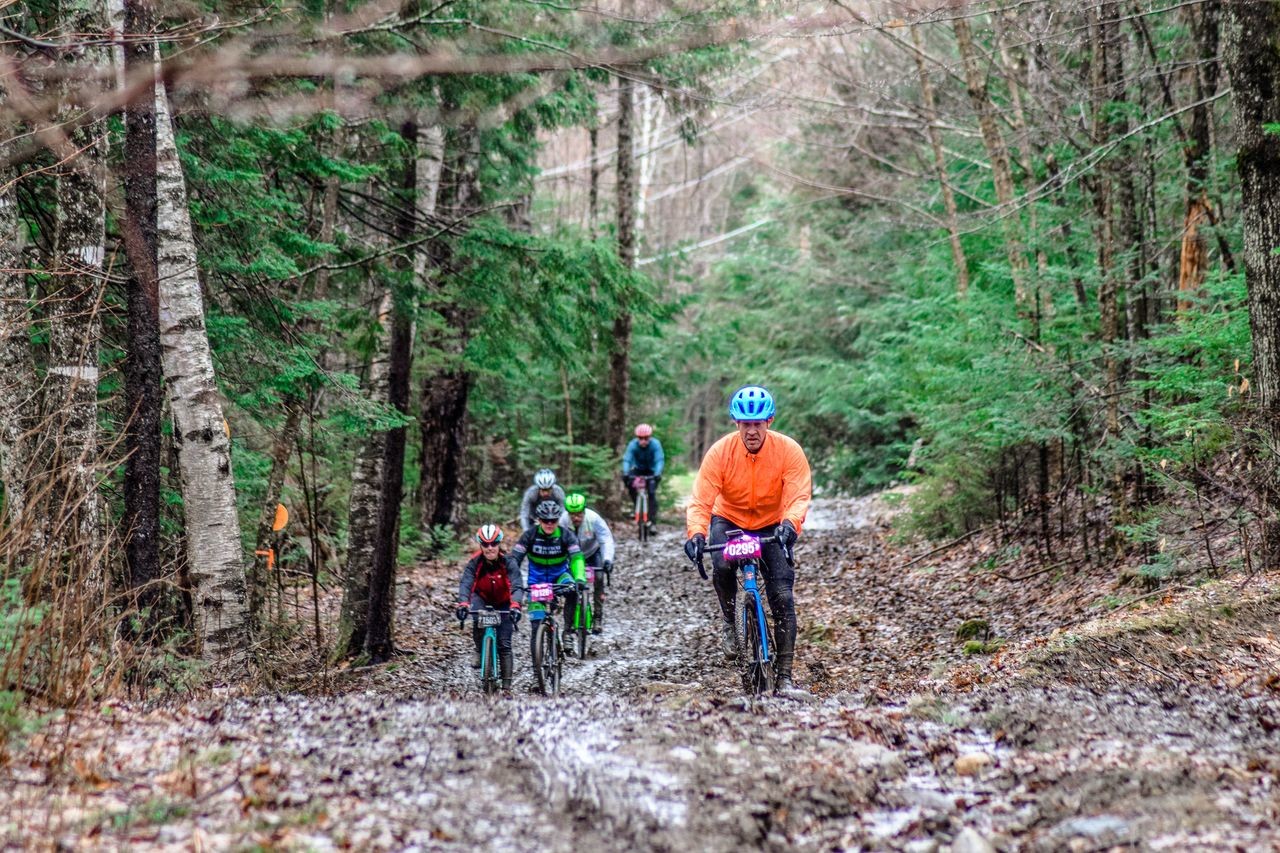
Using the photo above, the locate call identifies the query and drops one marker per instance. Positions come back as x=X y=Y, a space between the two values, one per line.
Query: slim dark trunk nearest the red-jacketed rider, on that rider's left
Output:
x=382 y=577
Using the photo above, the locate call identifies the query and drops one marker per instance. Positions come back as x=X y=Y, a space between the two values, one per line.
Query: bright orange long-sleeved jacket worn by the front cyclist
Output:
x=753 y=491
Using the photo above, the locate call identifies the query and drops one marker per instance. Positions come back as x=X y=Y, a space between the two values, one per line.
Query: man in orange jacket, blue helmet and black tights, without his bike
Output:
x=760 y=482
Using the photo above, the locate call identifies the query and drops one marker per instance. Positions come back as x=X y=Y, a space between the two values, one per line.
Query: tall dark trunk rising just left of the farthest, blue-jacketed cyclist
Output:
x=620 y=358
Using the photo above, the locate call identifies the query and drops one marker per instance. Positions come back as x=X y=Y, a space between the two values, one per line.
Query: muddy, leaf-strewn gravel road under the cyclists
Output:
x=653 y=746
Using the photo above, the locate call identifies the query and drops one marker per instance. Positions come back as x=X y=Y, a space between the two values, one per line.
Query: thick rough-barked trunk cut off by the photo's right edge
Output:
x=1254 y=63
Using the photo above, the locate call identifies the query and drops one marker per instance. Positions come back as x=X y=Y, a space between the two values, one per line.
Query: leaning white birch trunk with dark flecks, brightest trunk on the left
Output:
x=214 y=551
